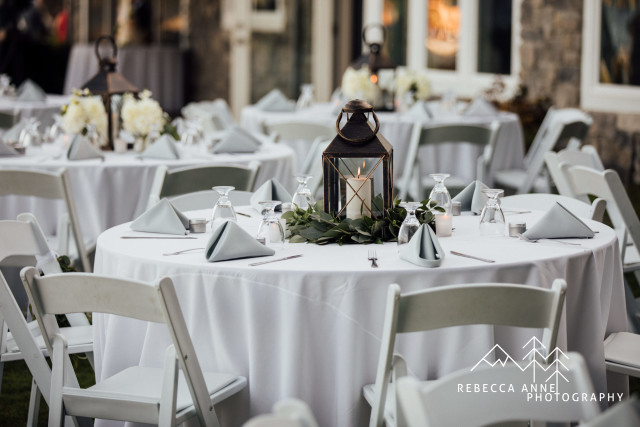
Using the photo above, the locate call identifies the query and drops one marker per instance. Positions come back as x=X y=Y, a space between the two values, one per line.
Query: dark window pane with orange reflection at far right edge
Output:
x=619 y=45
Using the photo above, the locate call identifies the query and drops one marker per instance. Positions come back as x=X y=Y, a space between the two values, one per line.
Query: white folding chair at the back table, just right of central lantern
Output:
x=476 y=134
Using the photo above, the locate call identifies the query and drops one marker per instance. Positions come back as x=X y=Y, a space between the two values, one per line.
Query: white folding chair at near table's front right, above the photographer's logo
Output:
x=443 y=306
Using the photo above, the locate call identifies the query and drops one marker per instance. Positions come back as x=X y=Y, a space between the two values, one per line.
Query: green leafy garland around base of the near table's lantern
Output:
x=314 y=225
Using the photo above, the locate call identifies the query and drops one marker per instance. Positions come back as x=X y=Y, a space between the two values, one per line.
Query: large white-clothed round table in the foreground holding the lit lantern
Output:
x=310 y=327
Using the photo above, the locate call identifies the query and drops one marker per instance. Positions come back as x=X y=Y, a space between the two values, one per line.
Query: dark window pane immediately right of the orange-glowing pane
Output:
x=494 y=36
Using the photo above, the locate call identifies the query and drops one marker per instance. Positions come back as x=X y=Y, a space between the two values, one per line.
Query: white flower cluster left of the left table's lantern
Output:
x=82 y=111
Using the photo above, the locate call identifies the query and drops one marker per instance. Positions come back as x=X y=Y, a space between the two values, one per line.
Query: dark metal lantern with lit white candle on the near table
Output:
x=358 y=166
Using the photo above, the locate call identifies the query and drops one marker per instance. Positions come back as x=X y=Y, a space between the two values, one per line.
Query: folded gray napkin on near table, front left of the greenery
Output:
x=230 y=241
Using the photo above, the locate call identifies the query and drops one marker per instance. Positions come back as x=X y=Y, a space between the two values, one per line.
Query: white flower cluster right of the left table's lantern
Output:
x=141 y=116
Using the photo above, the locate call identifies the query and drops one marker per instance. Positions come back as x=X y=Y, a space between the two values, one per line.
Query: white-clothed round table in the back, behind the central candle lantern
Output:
x=456 y=159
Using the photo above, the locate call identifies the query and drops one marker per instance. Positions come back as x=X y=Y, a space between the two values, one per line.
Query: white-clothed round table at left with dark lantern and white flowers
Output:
x=116 y=190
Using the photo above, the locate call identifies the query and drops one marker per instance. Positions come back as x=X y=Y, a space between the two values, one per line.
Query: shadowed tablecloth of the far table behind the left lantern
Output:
x=157 y=68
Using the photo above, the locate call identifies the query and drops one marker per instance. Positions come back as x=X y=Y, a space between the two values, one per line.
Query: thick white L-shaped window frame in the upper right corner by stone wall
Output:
x=594 y=95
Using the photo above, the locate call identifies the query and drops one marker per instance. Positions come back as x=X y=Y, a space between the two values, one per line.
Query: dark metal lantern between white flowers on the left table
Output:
x=108 y=82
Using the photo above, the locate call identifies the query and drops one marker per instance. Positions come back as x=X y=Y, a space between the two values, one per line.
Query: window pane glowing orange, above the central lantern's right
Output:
x=443 y=23
